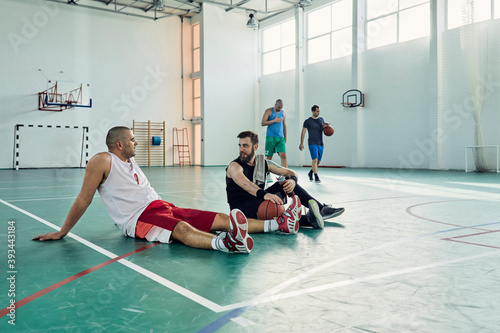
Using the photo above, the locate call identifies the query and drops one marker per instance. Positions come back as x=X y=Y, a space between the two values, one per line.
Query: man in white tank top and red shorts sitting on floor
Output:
x=139 y=212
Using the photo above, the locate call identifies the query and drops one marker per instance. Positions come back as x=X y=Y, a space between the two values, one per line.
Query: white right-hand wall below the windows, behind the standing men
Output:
x=416 y=114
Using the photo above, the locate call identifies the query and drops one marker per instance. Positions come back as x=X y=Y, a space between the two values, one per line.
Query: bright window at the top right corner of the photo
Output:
x=466 y=12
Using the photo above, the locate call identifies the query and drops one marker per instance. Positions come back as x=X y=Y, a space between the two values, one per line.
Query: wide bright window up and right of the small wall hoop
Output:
x=392 y=21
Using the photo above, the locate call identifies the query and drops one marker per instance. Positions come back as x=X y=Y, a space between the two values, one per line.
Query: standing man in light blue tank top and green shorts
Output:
x=275 y=120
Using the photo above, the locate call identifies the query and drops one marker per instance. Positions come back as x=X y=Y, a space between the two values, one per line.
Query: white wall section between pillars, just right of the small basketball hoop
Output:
x=395 y=119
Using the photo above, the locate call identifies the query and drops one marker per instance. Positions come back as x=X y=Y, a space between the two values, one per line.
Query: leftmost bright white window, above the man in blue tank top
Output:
x=278 y=48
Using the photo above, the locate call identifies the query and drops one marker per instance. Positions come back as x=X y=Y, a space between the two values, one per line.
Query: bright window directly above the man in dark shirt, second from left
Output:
x=329 y=32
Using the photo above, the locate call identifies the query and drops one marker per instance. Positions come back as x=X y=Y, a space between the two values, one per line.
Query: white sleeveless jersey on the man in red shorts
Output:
x=126 y=193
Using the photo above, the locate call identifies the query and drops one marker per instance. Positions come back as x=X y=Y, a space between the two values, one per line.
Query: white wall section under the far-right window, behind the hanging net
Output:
x=455 y=109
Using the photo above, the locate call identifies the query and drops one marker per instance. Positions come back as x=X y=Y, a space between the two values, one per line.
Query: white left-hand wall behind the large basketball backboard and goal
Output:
x=132 y=64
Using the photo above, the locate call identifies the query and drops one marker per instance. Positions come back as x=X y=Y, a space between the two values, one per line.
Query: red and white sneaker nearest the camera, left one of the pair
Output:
x=237 y=239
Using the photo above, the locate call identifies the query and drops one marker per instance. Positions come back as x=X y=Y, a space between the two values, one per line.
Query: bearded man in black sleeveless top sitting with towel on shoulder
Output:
x=246 y=177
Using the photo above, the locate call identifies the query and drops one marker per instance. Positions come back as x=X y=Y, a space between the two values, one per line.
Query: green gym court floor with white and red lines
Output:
x=415 y=251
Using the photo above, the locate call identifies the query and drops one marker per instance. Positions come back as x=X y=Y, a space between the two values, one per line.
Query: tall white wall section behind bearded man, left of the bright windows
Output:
x=229 y=82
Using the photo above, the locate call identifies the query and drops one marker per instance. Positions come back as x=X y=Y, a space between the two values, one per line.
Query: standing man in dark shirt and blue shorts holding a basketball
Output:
x=314 y=125
